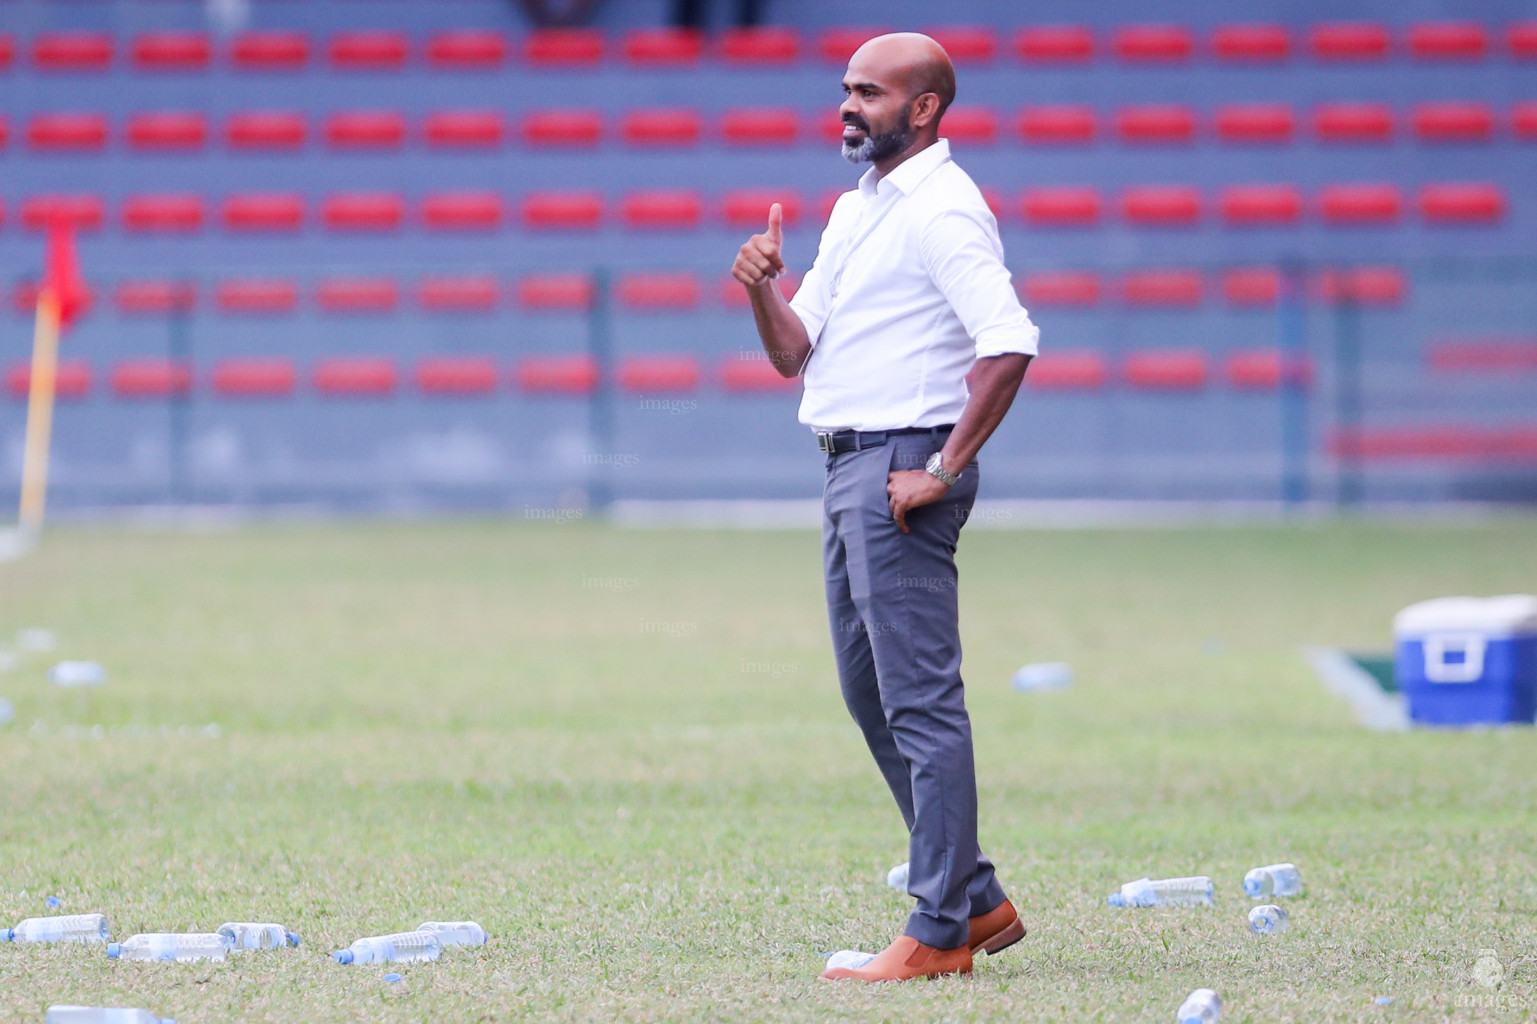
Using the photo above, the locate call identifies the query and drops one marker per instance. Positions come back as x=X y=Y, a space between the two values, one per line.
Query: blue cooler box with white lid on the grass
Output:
x=1464 y=662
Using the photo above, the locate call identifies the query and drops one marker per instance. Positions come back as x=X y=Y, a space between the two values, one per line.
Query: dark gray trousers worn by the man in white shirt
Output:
x=897 y=637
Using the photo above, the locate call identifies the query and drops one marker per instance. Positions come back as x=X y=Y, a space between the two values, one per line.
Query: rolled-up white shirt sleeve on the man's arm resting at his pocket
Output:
x=966 y=262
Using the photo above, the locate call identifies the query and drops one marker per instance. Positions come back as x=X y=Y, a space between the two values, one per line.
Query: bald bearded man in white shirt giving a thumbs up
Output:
x=908 y=296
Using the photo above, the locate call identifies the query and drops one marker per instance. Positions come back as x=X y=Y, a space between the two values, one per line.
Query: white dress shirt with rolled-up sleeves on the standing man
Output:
x=909 y=290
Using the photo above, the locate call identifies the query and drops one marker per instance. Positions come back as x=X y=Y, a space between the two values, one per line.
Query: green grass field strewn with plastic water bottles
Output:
x=626 y=756
